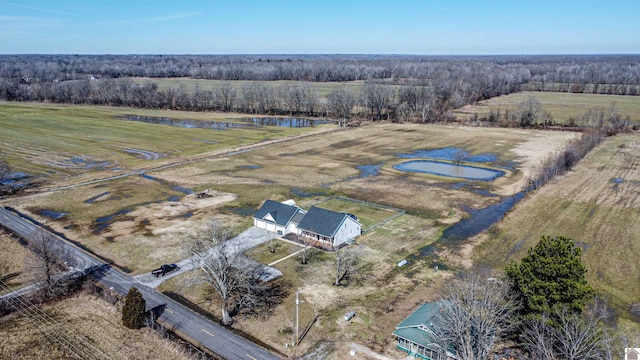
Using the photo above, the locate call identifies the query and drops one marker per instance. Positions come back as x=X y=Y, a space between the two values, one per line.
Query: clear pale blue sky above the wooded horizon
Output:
x=427 y=27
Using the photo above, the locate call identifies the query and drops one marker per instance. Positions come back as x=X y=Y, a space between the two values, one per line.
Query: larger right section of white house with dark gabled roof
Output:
x=328 y=228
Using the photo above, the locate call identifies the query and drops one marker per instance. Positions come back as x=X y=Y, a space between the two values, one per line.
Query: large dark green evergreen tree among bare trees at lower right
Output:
x=551 y=277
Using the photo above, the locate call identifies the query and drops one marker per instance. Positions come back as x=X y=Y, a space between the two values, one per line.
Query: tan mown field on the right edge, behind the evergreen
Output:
x=598 y=206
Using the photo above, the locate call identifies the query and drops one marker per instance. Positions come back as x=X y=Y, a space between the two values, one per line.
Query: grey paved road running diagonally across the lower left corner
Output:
x=175 y=316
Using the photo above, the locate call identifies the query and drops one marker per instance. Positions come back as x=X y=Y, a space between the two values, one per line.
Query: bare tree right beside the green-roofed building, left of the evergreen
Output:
x=477 y=312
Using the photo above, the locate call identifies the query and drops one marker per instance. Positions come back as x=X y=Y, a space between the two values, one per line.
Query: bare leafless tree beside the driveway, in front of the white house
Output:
x=236 y=279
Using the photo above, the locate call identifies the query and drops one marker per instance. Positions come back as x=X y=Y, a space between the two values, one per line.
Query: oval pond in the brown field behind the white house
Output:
x=449 y=169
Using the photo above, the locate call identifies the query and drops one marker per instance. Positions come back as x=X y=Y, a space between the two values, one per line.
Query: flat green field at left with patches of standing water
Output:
x=57 y=141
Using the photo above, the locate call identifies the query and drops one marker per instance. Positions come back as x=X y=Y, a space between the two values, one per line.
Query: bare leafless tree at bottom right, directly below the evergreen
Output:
x=569 y=336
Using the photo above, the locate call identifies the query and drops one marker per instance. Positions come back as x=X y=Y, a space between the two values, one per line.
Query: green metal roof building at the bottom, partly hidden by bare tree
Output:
x=416 y=333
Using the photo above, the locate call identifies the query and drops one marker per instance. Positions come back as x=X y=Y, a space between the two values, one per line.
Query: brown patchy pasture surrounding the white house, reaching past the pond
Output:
x=148 y=217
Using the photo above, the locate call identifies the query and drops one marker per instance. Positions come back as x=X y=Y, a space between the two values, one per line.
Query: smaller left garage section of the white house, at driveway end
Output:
x=277 y=217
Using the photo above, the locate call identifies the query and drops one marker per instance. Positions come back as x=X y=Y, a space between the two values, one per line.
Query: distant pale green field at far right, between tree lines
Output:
x=562 y=106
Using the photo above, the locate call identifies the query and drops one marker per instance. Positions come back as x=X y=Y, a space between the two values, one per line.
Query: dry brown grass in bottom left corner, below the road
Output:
x=81 y=319
